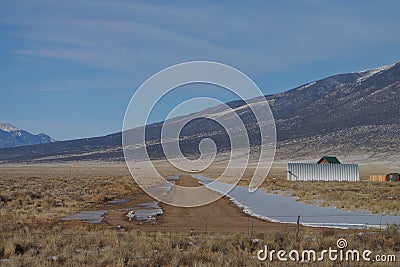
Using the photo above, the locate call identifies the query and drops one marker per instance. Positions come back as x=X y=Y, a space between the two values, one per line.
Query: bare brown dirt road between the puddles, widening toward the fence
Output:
x=221 y=216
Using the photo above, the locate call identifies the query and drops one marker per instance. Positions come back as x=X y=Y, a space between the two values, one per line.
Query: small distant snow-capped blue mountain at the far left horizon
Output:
x=11 y=136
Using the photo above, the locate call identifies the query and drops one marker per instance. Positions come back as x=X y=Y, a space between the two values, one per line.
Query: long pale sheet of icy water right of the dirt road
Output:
x=286 y=209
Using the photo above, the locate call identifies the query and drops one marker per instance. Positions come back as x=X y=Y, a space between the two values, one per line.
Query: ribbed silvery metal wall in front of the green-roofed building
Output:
x=322 y=172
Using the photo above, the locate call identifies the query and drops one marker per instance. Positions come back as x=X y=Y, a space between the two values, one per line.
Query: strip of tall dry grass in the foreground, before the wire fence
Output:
x=82 y=245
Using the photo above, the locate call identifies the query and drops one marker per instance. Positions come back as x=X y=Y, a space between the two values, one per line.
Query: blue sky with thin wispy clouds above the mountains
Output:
x=69 y=68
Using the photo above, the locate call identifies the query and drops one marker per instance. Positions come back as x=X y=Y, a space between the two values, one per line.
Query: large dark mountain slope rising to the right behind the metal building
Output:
x=352 y=114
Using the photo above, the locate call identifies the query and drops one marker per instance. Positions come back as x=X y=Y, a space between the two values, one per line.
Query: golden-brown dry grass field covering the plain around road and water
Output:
x=33 y=198
